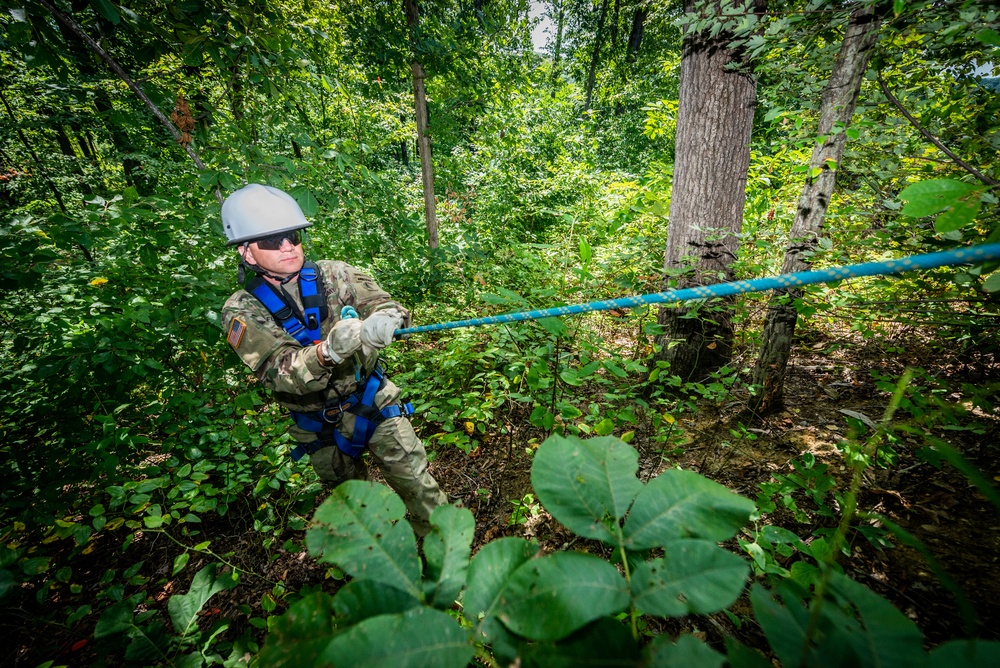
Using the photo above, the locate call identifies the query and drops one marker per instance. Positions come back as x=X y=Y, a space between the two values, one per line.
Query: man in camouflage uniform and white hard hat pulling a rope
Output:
x=264 y=223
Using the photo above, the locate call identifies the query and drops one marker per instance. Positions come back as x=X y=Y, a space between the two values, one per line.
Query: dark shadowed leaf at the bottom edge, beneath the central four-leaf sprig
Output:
x=605 y=643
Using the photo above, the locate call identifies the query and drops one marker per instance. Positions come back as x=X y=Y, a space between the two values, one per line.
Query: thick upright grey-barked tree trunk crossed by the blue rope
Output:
x=712 y=148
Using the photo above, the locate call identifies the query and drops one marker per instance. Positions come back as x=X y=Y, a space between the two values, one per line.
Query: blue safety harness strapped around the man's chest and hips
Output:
x=361 y=404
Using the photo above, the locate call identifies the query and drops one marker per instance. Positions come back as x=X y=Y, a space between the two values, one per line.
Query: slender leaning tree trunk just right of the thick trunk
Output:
x=836 y=109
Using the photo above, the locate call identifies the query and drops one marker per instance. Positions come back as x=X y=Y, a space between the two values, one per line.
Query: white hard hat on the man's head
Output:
x=256 y=211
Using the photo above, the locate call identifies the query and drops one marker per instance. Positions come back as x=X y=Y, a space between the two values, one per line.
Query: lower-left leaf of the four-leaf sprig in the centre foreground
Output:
x=552 y=596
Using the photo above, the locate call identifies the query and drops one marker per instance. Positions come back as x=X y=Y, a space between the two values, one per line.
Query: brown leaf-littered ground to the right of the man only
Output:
x=938 y=505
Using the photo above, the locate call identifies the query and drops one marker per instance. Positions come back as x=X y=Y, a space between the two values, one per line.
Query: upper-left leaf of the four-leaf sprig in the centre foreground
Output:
x=586 y=483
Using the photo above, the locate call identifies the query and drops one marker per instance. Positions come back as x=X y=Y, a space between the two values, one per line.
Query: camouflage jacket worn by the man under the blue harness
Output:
x=293 y=372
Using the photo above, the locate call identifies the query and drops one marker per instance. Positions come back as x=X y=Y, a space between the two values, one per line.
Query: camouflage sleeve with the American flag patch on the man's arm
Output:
x=278 y=361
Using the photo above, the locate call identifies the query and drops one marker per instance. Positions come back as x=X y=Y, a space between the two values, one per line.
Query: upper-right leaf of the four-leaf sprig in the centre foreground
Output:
x=683 y=504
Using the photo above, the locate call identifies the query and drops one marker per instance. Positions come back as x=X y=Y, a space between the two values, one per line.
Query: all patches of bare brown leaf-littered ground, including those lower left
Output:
x=939 y=506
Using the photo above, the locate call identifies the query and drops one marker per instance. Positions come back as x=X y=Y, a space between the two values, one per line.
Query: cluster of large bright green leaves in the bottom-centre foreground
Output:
x=516 y=600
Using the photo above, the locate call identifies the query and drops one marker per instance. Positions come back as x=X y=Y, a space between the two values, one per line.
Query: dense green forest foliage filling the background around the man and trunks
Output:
x=125 y=421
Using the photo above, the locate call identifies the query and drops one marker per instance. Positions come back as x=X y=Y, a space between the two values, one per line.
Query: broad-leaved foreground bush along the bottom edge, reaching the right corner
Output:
x=564 y=608
